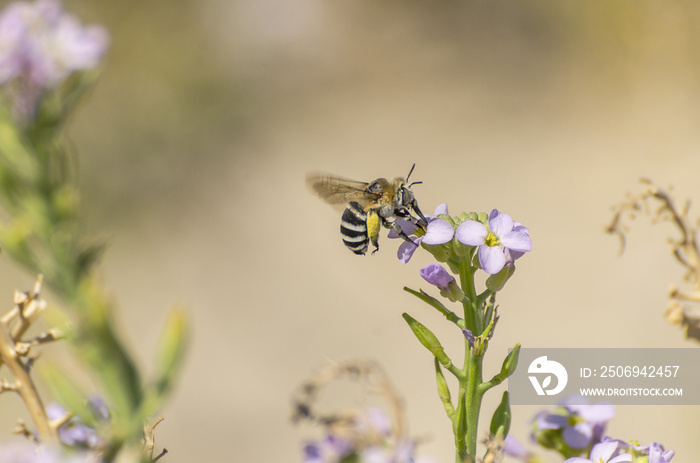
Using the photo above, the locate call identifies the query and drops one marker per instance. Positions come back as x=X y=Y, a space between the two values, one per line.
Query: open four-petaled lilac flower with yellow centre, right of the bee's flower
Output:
x=503 y=241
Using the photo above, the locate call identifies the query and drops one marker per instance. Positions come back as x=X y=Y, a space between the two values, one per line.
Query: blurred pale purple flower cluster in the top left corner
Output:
x=41 y=45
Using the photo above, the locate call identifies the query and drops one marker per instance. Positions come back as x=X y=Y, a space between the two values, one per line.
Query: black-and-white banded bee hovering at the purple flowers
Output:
x=369 y=205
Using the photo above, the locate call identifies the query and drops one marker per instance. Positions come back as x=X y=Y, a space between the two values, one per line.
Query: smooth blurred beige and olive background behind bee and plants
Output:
x=196 y=141
